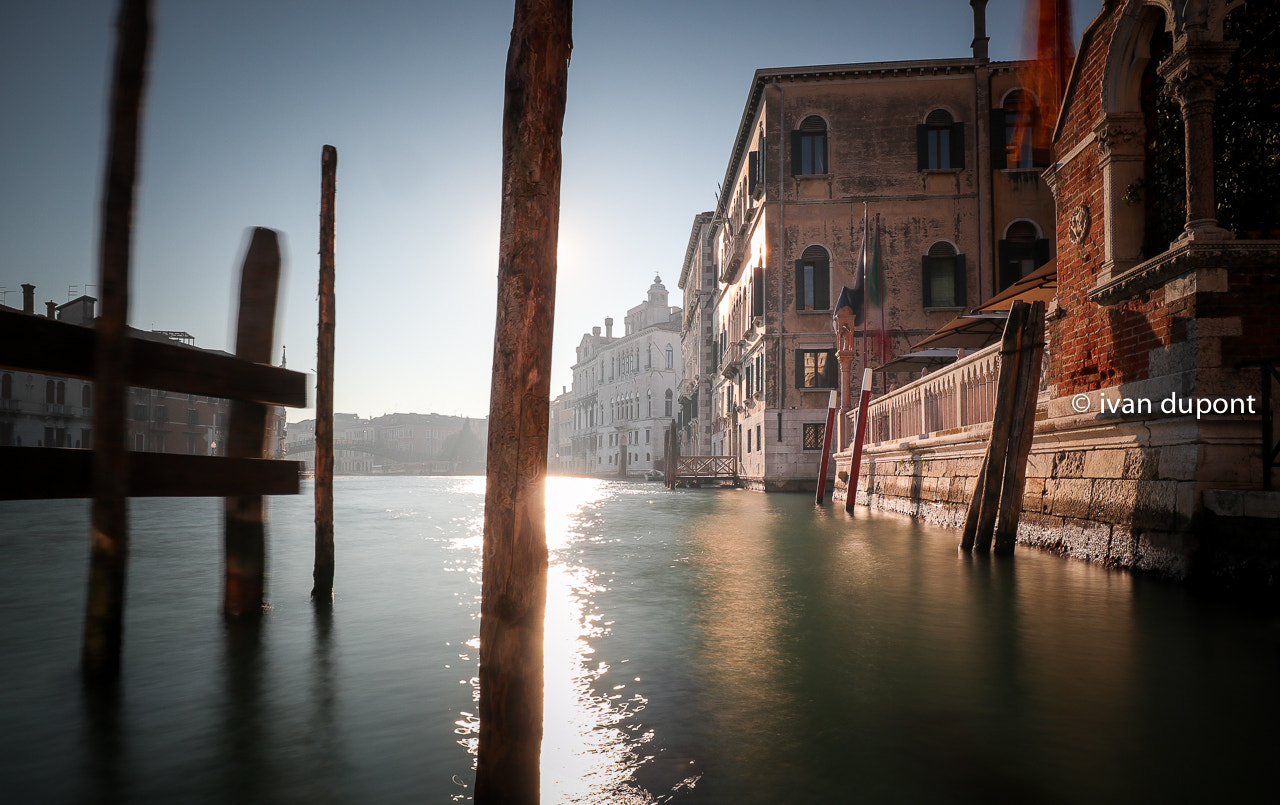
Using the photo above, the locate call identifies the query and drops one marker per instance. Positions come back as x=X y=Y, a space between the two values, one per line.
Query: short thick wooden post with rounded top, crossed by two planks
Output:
x=246 y=431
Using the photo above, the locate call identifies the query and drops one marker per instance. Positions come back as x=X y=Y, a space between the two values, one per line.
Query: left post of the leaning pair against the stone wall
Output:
x=981 y=520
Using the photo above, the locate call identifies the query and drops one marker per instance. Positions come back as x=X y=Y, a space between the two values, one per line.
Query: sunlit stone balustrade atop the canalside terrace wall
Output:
x=952 y=399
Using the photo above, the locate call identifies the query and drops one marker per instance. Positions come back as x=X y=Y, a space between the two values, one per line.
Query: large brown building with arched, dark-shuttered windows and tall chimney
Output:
x=929 y=149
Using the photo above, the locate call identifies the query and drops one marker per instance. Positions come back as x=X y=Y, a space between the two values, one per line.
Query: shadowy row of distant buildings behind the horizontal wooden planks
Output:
x=51 y=411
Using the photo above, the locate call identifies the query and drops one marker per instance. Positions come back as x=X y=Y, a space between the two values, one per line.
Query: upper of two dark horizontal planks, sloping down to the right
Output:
x=40 y=345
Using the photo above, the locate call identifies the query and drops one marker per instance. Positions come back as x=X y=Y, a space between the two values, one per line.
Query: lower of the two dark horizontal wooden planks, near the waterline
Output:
x=34 y=474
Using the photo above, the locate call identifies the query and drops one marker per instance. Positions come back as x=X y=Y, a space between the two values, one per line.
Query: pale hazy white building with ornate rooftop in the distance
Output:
x=624 y=395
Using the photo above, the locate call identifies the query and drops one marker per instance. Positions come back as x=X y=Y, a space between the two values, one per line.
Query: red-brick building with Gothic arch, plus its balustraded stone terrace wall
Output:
x=1154 y=438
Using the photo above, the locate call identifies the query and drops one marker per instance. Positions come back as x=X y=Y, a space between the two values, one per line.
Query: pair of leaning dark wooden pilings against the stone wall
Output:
x=999 y=488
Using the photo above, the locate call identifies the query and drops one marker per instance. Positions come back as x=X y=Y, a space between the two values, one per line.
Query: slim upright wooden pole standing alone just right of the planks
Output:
x=322 y=591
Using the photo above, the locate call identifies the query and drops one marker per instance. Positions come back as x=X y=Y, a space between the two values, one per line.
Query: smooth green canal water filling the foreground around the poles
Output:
x=705 y=647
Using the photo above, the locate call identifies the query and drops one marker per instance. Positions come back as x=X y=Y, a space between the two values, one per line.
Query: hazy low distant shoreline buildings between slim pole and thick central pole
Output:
x=397 y=443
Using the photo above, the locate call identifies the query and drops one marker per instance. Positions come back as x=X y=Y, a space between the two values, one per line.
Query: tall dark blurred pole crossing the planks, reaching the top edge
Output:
x=109 y=546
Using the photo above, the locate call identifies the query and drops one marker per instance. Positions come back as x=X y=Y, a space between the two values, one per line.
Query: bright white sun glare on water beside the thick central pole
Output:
x=592 y=742
